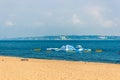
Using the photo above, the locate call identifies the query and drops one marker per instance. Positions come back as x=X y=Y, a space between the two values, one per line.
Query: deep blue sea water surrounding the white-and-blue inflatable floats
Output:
x=30 y=49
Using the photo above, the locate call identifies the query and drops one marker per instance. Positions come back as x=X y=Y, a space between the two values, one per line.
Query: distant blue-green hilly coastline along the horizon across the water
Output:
x=67 y=37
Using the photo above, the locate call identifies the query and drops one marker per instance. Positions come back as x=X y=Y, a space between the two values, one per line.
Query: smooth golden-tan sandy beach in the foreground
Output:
x=12 y=68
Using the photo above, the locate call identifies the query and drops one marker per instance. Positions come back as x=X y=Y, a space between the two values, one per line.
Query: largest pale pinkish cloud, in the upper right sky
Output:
x=98 y=16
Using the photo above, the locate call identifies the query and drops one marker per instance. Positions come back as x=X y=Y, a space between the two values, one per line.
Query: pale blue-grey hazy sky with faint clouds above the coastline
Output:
x=22 y=18
